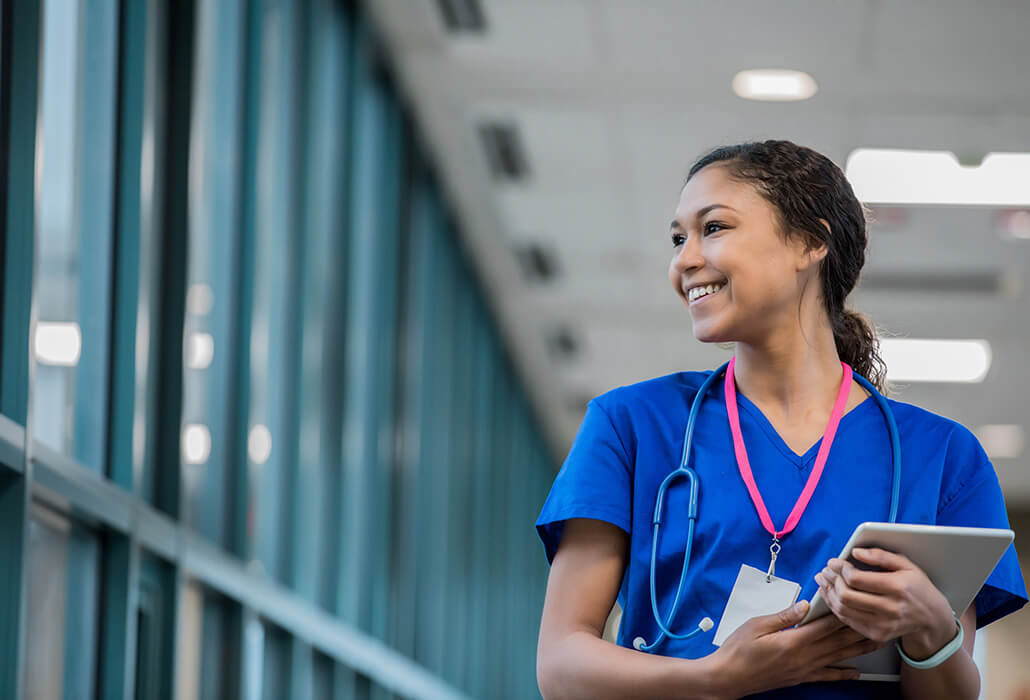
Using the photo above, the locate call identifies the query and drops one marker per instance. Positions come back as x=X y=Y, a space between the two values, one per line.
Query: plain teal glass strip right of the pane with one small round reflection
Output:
x=322 y=304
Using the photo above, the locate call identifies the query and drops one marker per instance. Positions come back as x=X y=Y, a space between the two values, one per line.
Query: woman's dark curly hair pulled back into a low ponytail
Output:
x=805 y=187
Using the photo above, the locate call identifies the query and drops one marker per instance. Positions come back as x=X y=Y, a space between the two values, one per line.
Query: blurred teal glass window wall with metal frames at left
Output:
x=262 y=435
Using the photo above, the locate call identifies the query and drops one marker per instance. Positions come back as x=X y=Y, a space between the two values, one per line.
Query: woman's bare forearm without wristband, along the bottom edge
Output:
x=582 y=666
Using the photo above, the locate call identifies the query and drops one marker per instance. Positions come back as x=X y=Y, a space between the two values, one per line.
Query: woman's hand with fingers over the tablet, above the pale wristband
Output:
x=899 y=602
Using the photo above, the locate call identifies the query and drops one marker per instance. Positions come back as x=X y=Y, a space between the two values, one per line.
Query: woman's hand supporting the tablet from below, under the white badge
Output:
x=769 y=652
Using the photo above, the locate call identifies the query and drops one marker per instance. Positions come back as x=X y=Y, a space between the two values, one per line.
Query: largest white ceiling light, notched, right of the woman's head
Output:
x=889 y=177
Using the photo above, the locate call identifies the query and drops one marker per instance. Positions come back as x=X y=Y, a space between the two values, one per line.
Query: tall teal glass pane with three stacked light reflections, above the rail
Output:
x=213 y=274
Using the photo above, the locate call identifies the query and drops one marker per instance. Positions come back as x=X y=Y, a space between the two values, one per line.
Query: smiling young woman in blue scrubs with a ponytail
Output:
x=768 y=242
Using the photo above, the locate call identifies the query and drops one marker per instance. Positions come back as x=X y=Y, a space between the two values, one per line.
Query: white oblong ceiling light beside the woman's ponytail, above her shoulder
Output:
x=936 y=361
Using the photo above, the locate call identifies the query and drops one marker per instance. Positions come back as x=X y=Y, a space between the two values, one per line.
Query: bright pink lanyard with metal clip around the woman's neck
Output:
x=817 y=471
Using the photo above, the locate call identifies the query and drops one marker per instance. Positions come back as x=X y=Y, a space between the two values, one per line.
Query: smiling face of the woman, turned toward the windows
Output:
x=726 y=234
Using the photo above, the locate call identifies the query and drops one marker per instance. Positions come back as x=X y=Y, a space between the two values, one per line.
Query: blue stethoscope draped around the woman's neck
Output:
x=693 y=480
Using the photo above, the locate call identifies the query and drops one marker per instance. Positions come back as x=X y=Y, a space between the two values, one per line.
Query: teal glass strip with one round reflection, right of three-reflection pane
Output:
x=273 y=332
